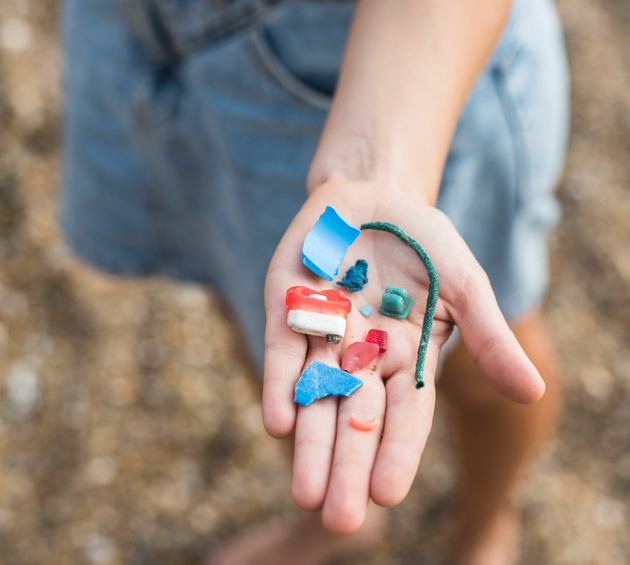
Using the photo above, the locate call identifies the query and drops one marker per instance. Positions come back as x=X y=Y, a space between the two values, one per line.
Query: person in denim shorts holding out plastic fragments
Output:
x=192 y=128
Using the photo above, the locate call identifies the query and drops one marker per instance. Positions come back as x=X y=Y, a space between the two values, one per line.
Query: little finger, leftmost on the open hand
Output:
x=285 y=351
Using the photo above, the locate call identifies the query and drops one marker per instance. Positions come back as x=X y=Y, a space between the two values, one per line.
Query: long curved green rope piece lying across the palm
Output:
x=429 y=313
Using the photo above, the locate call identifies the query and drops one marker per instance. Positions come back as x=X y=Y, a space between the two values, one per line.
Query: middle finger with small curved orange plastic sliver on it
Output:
x=348 y=493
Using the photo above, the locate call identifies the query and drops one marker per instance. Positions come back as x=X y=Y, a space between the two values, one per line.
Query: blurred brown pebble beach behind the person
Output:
x=129 y=431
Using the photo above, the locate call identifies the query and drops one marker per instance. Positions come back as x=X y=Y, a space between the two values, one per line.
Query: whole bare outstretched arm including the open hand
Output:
x=408 y=69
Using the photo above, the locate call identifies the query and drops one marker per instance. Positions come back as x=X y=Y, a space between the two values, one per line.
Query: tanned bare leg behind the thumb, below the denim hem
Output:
x=495 y=440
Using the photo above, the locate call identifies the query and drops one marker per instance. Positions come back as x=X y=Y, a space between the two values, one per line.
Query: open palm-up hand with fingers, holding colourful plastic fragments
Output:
x=338 y=468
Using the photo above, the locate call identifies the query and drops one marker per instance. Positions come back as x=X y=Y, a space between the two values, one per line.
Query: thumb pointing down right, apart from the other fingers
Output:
x=491 y=343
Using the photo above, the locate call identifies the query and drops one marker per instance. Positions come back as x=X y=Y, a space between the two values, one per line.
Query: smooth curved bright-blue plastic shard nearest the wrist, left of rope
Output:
x=326 y=244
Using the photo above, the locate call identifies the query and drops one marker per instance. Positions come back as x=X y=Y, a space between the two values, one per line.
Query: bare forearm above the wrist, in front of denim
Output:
x=407 y=71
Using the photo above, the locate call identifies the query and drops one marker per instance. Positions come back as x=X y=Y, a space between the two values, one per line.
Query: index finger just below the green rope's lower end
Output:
x=409 y=414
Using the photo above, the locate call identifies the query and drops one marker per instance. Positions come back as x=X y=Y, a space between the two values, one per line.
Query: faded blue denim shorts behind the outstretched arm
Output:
x=190 y=126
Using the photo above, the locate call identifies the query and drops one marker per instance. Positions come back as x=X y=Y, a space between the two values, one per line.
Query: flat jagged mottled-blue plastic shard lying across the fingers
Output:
x=319 y=380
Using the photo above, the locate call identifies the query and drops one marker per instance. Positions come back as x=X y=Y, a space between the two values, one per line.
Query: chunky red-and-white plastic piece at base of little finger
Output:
x=318 y=312
